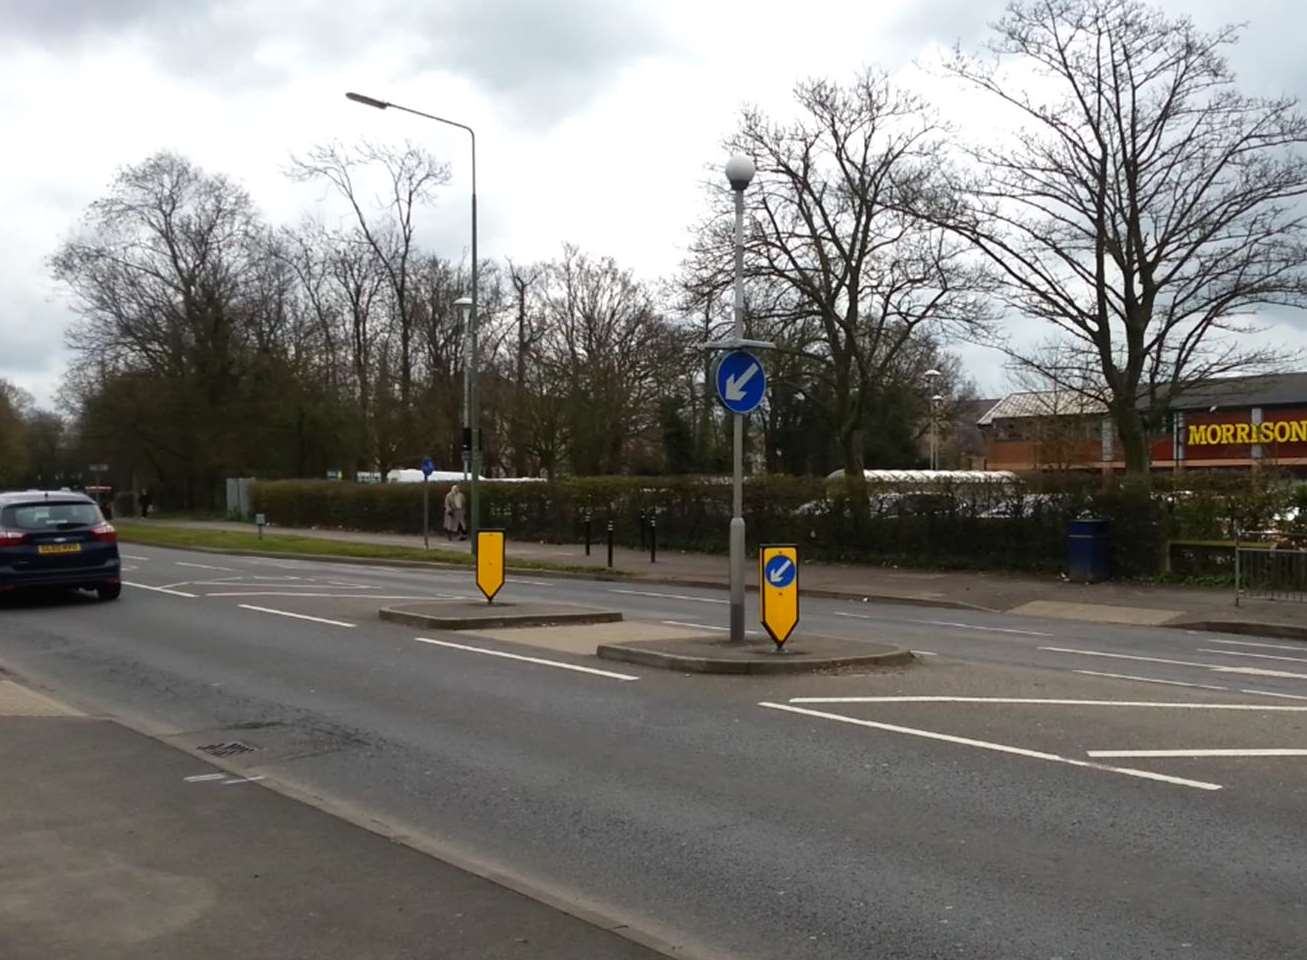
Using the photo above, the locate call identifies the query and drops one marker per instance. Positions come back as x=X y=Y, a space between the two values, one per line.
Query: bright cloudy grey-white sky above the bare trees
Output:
x=598 y=120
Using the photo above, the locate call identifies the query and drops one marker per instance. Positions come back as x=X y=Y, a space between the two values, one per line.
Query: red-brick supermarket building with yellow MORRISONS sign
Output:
x=1236 y=424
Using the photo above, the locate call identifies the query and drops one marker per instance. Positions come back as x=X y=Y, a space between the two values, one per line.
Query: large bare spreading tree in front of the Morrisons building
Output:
x=1146 y=208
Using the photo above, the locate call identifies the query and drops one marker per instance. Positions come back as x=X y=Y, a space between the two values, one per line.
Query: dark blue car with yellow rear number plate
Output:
x=57 y=540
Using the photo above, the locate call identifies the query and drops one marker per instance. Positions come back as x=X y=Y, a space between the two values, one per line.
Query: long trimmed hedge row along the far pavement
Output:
x=998 y=527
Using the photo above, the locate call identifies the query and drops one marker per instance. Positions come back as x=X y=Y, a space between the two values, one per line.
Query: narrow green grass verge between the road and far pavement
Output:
x=242 y=543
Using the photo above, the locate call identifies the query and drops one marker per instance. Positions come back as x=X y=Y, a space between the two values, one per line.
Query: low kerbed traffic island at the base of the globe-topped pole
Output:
x=718 y=655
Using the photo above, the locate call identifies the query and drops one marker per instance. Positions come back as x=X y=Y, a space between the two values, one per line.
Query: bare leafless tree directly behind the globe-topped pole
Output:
x=832 y=242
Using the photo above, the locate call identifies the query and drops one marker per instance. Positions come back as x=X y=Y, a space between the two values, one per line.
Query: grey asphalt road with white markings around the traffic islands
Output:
x=999 y=800
